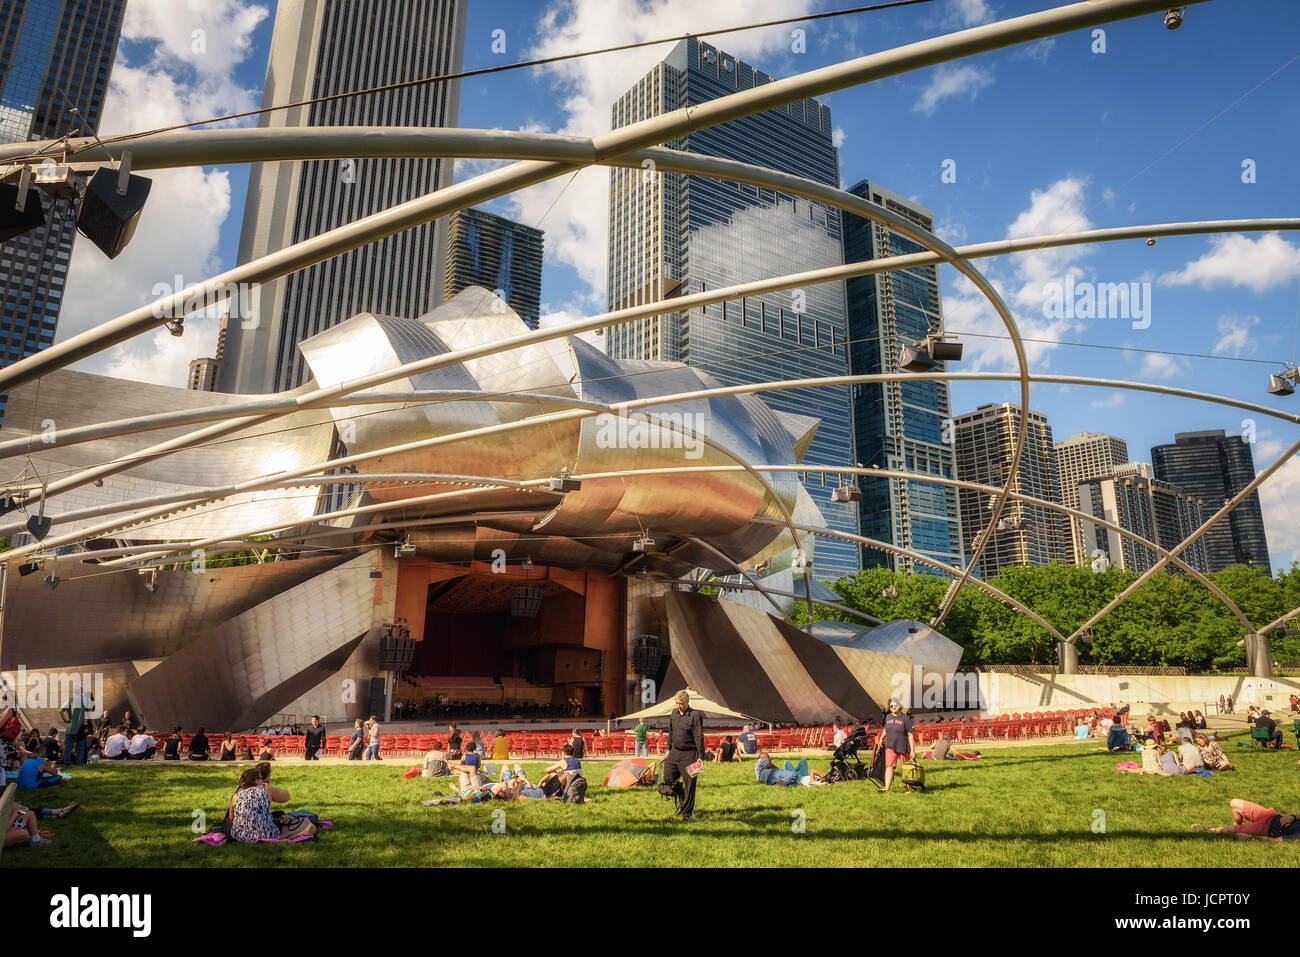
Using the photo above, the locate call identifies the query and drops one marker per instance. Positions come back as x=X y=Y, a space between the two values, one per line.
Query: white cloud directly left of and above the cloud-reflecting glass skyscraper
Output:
x=574 y=211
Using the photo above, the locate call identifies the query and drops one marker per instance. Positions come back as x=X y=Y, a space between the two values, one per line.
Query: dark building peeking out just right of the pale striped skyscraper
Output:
x=497 y=254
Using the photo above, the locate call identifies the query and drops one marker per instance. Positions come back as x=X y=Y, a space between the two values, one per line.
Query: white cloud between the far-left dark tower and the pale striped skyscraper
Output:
x=180 y=81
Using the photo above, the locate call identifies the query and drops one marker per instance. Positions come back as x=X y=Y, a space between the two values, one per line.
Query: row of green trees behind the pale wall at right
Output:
x=1172 y=620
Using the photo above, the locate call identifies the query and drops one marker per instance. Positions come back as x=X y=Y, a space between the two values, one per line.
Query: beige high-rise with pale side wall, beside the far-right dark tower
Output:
x=1133 y=500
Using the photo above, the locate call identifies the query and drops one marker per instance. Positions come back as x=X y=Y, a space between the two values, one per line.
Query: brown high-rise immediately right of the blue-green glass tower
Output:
x=1028 y=534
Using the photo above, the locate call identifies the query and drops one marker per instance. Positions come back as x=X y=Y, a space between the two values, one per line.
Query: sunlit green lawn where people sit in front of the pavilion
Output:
x=1019 y=807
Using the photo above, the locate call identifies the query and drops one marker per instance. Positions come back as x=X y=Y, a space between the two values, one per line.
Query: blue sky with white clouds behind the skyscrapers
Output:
x=1046 y=138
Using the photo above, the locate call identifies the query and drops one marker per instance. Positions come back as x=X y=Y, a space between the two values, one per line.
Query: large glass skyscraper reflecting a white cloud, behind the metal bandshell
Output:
x=673 y=235
